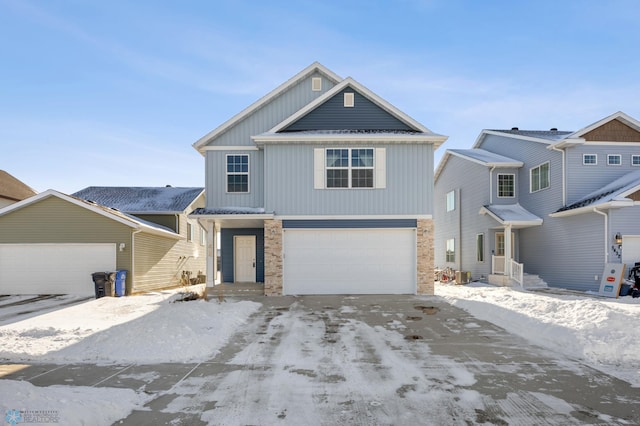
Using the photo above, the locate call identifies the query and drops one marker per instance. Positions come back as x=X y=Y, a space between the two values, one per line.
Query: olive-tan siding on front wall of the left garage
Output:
x=53 y=220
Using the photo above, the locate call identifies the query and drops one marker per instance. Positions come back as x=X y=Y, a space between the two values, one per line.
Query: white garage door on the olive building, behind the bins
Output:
x=53 y=268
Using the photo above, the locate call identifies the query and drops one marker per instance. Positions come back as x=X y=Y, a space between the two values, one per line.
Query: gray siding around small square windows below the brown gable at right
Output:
x=583 y=180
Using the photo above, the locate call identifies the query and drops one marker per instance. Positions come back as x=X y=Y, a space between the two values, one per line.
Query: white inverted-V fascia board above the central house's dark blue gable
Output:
x=363 y=91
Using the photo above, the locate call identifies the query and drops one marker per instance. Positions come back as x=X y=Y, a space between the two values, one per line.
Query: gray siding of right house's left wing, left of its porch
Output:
x=470 y=183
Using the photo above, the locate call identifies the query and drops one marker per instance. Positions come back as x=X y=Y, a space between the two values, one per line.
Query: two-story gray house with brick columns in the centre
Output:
x=321 y=187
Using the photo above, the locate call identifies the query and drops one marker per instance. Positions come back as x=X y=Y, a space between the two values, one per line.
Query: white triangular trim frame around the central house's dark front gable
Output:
x=419 y=132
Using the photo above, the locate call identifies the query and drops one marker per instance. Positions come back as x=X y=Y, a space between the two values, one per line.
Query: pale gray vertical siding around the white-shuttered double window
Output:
x=289 y=182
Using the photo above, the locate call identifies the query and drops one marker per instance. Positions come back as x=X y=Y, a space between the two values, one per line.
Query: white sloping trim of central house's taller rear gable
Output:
x=314 y=67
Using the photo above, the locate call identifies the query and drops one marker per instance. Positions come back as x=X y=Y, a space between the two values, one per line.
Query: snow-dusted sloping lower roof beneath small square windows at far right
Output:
x=611 y=195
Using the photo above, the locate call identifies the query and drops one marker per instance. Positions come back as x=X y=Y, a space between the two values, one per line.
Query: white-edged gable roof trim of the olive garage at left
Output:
x=118 y=216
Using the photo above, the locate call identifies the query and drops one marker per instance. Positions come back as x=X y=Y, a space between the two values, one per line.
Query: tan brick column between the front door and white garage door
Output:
x=273 y=257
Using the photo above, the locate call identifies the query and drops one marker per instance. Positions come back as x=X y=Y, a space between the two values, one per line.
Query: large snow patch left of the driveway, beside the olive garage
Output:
x=143 y=329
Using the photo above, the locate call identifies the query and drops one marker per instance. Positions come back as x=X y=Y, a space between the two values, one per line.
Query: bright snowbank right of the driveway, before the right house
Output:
x=603 y=332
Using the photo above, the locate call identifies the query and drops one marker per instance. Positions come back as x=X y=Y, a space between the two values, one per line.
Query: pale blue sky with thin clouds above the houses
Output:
x=115 y=92
